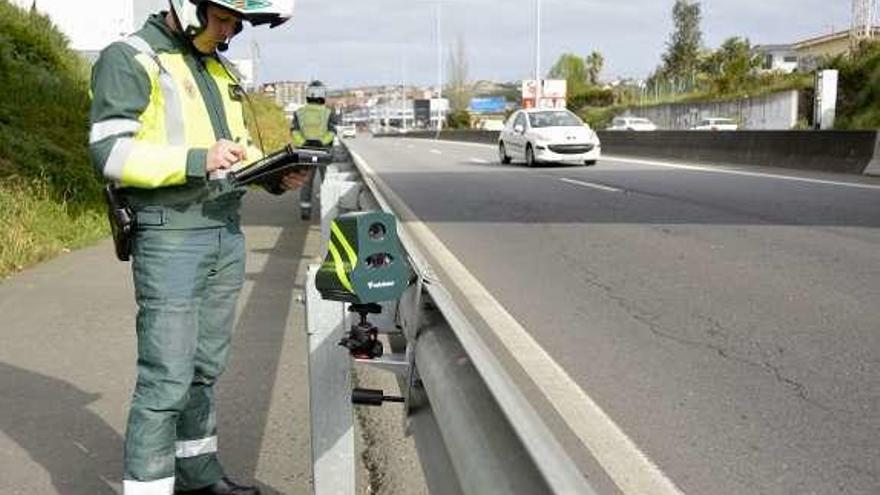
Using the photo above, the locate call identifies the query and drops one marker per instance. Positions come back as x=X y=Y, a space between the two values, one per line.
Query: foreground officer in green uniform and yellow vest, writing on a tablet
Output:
x=167 y=123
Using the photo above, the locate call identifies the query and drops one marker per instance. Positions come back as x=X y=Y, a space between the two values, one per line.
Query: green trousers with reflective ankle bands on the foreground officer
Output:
x=186 y=286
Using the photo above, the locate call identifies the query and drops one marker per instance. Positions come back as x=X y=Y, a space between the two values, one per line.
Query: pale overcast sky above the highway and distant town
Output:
x=350 y=42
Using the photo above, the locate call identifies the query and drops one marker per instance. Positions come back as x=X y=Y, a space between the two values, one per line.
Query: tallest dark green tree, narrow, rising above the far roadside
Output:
x=682 y=57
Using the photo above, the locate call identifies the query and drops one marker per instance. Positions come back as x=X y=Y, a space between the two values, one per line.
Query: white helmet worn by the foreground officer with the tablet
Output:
x=191 y=13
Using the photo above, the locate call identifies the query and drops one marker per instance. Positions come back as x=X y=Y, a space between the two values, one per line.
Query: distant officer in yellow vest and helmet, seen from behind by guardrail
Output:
x=313 y=125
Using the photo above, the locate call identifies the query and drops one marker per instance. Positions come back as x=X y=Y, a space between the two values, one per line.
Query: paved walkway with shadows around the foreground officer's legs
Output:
x=67 y=360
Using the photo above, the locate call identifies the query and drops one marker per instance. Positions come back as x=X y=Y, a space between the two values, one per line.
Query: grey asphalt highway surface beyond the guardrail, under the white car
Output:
x=726 y=319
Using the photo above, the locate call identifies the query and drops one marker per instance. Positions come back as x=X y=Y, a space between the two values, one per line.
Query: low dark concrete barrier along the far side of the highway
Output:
x=852 y=152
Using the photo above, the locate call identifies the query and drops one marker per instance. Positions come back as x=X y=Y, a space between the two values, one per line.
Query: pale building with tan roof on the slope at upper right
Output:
x=803 y=55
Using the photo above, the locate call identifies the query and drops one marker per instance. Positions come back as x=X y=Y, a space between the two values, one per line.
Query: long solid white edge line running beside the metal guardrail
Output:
x=632 y=471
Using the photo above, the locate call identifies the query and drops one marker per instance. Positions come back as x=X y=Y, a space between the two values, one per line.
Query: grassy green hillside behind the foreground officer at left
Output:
x=50 y=196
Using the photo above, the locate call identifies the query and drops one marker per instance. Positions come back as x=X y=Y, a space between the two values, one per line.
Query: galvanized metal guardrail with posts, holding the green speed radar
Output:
x=475 y=431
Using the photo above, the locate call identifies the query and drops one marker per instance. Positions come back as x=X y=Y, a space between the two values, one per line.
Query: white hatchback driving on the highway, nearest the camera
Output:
x=539 y=135
